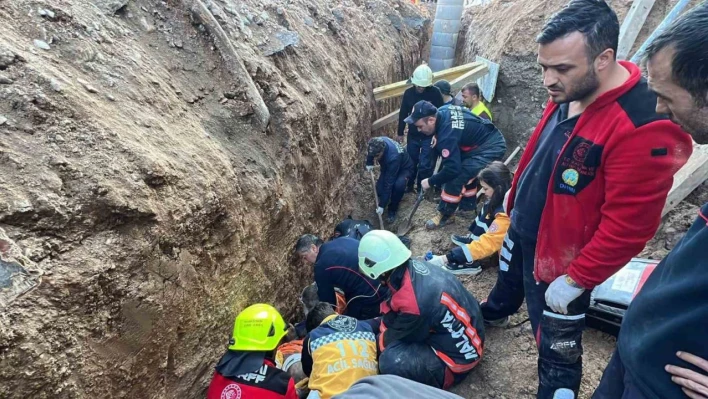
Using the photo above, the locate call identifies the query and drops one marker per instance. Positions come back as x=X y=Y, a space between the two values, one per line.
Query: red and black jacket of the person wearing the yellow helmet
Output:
x=233 y=380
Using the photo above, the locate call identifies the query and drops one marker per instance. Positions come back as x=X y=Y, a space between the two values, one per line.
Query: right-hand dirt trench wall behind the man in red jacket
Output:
x=504 y=31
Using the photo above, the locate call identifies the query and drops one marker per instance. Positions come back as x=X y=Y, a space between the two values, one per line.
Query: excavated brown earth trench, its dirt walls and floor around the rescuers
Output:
x=143 y=192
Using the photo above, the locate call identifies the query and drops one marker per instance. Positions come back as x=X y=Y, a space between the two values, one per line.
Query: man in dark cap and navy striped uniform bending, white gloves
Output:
x=466 y=144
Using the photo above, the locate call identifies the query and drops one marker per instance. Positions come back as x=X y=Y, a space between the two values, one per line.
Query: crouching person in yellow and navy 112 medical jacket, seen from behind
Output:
x=337 y=351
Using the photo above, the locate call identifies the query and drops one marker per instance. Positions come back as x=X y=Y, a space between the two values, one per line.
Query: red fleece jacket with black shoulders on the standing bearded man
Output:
x=608 y=186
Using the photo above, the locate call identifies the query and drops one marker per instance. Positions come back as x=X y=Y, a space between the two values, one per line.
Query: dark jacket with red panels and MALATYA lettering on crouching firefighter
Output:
x=430 y=305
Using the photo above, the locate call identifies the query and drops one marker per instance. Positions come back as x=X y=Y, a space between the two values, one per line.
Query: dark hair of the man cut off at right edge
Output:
x=689 y=37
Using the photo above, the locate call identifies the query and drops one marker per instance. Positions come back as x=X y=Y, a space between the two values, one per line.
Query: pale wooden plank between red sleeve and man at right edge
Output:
x=692 y=175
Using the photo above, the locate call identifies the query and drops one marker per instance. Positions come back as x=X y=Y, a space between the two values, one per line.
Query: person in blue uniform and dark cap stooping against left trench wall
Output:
x=396 y=170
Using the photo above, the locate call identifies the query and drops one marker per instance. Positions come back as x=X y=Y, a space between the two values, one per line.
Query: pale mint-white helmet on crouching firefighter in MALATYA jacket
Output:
x=381 y=251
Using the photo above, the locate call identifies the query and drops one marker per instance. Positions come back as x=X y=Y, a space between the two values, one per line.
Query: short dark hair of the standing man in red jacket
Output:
x=593 y=18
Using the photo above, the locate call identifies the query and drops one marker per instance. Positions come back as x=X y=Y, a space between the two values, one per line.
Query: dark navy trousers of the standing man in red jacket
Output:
x=558 y=336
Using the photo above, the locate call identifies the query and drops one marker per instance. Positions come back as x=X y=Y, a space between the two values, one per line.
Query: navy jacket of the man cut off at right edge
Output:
x=669 y=314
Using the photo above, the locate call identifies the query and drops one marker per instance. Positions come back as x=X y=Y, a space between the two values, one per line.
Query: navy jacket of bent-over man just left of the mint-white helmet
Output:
x=337 y=265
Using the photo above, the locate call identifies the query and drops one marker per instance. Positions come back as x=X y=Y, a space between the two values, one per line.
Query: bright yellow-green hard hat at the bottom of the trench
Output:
x=259 y=327
